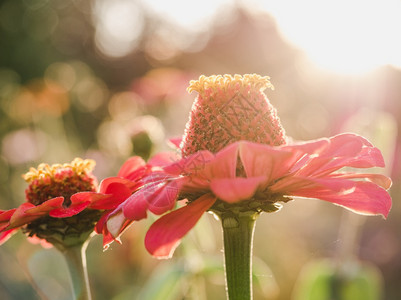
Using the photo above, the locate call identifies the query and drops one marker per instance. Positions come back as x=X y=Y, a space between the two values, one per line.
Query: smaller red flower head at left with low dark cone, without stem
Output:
x=63 y=203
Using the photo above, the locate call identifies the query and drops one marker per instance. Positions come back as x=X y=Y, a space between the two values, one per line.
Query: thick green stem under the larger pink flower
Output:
x=238 y=239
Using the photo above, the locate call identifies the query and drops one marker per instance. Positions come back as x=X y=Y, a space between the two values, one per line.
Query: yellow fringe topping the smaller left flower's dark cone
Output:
x=78 y=166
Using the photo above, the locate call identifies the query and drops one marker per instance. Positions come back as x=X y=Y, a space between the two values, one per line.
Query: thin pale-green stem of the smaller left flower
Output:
x=76 y=262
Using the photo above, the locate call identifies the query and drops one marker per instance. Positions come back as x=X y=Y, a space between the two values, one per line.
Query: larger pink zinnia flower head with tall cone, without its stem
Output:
x=236 y=159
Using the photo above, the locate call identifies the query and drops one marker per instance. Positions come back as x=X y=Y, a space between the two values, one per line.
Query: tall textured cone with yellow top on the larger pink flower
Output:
x=228 y=109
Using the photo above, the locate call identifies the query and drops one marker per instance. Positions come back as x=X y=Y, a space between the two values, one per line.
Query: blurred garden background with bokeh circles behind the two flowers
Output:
x=106 y=79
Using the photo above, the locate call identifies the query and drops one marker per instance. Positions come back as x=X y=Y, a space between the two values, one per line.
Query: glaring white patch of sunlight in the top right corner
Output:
x=349 y=37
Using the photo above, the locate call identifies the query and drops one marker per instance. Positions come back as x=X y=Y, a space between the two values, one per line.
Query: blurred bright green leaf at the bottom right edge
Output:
x=323 y=280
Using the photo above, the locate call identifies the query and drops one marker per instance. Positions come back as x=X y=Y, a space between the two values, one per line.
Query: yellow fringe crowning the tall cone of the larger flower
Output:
x=226 y=81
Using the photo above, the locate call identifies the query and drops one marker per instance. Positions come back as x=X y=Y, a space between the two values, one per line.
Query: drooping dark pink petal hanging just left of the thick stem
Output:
x=165 y=234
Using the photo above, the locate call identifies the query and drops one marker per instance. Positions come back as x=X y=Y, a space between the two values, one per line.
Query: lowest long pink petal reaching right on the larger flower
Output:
x=367 y=198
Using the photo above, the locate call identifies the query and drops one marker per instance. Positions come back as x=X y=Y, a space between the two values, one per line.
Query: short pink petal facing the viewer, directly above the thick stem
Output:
x=236 y=189
